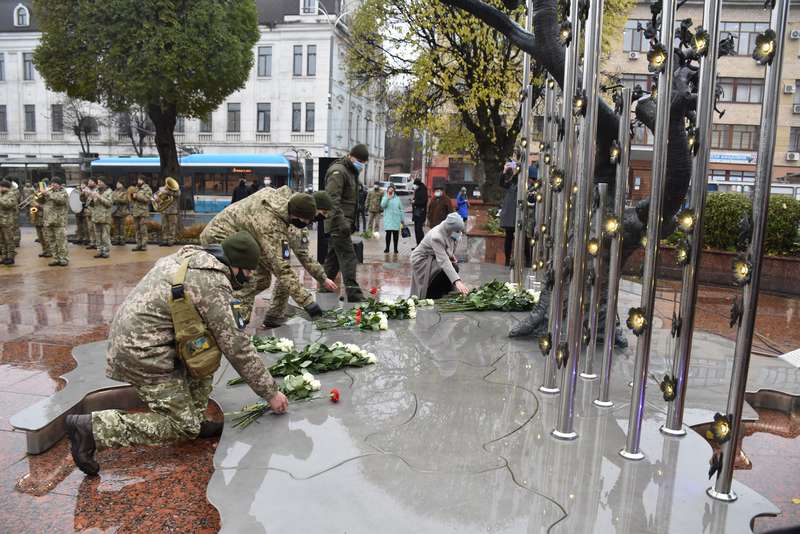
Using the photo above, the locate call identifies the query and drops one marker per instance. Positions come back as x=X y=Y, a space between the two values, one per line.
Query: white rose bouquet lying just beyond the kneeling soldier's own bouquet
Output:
x=317 y=358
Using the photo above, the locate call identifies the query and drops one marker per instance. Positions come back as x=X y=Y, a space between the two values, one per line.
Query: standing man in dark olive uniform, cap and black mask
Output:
x=341 y=183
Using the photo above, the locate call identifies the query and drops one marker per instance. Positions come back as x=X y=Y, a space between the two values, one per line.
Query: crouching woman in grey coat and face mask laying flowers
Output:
x=434 y=268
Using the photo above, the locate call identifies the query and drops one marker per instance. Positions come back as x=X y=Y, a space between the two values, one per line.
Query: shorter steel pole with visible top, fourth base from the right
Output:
x=615 y=254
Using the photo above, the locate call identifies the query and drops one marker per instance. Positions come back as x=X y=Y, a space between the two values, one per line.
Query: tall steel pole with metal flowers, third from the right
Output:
x=640 y=320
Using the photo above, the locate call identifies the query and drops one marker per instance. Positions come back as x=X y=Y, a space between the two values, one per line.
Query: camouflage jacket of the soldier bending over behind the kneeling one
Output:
x=265 y=216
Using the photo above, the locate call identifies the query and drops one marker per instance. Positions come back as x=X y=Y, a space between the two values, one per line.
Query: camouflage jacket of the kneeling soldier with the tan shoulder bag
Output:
x=141 y=347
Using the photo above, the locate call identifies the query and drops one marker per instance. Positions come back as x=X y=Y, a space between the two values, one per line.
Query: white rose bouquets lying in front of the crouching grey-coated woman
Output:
x=493 y=296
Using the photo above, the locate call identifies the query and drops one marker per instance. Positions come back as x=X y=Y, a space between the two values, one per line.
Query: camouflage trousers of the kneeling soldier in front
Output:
x=177 y=410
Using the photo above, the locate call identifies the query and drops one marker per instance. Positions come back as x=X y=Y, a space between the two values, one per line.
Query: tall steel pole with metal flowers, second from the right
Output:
x=705 y=117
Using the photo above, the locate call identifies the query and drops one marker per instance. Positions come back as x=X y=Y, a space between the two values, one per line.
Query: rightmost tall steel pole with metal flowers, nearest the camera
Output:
x=727 y=429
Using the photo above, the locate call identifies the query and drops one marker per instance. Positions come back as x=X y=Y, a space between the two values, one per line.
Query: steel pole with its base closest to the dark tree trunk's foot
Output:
x=566 y=161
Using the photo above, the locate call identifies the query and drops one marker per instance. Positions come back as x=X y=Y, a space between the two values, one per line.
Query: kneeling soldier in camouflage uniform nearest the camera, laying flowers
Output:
x=142 y=351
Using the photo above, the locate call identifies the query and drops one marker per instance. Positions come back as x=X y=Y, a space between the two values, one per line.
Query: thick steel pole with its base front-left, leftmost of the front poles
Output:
x=584 y=178
